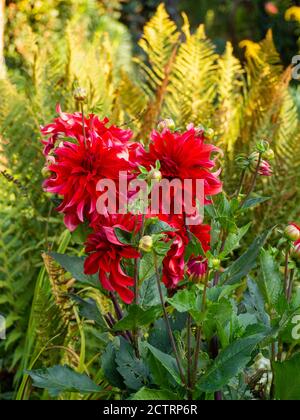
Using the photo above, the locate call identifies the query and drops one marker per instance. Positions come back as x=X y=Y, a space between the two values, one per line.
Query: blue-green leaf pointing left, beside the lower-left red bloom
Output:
x=75 y=266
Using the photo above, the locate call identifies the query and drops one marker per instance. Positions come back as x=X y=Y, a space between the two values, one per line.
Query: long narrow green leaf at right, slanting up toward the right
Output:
x=242 y=266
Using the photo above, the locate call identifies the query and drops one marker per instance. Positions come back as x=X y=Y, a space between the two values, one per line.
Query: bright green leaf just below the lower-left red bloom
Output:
x=138 y=317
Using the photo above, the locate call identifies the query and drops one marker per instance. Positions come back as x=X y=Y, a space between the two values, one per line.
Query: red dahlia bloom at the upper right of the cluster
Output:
x=184 y=156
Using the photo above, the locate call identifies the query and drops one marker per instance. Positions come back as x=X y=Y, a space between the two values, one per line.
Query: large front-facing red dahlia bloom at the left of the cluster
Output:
x=76 y=172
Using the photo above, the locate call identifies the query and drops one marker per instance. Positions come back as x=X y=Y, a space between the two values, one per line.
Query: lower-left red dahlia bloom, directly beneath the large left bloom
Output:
x=106 y=253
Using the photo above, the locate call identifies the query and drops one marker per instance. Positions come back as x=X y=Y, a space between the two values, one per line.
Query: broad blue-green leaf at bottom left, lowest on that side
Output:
x=58 y=379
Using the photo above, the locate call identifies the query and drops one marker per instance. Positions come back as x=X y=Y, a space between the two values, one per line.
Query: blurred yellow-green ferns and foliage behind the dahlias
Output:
x=200 y=74
